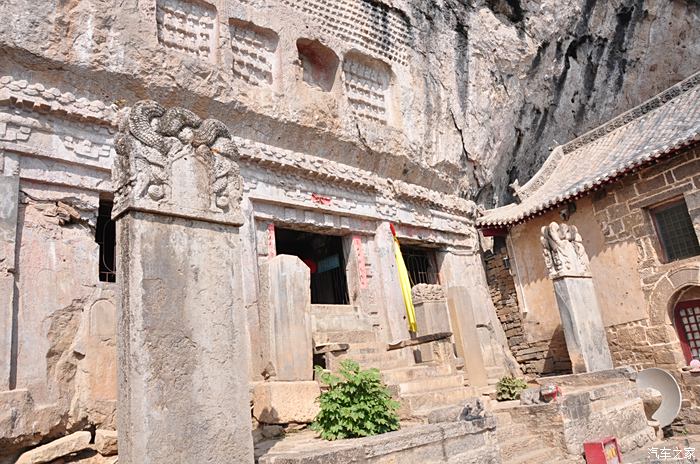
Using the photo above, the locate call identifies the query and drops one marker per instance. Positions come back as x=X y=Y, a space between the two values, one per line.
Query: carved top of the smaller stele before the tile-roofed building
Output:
x=564 y=255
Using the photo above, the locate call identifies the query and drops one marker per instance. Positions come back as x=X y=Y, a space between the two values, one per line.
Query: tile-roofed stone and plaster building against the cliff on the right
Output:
x=630 y=187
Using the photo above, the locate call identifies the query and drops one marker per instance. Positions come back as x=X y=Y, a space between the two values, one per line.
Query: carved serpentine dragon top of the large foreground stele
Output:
x=170 y=161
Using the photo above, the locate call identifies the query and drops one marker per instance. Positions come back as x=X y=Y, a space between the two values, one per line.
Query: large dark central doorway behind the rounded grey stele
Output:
x=324 y=256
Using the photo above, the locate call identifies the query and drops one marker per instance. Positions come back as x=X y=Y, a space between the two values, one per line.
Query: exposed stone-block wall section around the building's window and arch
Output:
x=621 y=210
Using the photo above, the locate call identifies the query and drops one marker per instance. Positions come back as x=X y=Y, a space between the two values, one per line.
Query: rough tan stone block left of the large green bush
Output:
x=285 y=402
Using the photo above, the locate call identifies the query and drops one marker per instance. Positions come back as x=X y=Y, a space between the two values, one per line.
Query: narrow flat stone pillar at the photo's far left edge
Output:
x=9 y=201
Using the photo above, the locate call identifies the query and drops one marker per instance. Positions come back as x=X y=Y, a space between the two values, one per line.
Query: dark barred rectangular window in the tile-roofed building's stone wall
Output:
x=675 y=231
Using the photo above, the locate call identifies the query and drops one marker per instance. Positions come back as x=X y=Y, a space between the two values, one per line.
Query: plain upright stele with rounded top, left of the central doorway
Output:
x=285 y=318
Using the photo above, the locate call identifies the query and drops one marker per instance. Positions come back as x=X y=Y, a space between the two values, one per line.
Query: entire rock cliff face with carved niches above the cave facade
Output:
x=454 y=96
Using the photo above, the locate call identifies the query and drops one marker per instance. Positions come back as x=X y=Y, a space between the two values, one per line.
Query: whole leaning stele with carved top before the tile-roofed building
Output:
x=568 y=266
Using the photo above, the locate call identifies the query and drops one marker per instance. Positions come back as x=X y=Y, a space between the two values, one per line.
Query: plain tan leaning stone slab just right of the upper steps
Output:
x=464 y=329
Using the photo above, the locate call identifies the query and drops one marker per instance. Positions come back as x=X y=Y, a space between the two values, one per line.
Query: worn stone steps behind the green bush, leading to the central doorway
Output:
x=419 y=388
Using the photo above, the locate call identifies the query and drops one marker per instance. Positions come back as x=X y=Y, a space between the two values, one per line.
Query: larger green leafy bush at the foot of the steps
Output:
x=356 y=404
